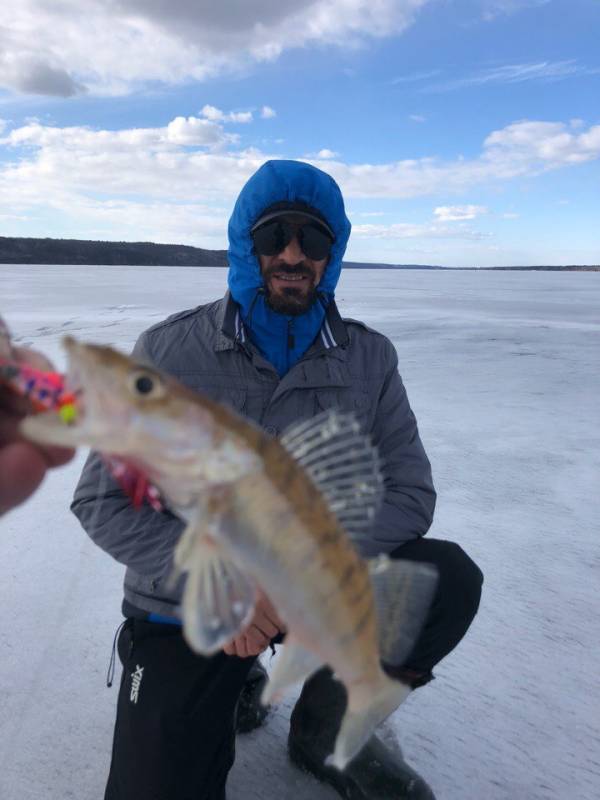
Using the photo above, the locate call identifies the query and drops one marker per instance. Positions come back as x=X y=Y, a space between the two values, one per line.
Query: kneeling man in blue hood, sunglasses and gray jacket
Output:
x=275 y=349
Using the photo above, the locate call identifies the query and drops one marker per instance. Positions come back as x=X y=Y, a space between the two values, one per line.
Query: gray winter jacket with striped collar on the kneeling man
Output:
x=349 y=366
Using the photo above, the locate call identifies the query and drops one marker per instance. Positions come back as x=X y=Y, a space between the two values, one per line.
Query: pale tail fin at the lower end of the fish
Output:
x=366 y=710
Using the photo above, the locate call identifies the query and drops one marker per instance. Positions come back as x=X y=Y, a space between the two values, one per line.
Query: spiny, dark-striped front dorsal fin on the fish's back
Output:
x=343 y=464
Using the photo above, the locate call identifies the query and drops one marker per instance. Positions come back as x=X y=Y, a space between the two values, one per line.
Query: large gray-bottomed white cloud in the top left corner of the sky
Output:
x=64 y=48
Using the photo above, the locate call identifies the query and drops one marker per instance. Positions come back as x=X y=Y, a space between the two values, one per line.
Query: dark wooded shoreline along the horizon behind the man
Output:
x=82 y=252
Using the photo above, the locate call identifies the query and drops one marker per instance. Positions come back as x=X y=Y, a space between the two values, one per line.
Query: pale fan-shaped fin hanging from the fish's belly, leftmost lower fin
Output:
x=218 y=598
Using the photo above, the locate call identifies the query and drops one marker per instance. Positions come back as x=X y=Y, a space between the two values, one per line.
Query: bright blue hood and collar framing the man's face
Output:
x=276 y=181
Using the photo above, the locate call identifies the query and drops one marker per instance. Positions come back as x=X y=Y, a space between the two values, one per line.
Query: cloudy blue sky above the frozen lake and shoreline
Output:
x=462 y=132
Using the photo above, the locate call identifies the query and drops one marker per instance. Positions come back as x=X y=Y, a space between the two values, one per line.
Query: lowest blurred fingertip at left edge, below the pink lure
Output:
x=22 y=468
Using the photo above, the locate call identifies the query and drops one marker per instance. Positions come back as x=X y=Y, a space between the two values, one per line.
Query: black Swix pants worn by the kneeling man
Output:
x=174 y=734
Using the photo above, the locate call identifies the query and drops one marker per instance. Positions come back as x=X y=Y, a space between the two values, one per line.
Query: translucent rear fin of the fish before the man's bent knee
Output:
x=403 y=592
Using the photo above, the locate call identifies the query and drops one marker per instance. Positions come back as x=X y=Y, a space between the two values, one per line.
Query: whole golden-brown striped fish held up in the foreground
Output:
x=279 y=514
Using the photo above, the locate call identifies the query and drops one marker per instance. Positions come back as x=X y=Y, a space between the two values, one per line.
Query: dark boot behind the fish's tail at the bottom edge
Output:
x=375 y=774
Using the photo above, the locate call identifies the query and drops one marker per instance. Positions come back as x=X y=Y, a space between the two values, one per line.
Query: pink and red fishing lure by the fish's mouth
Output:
x=46 y=391
